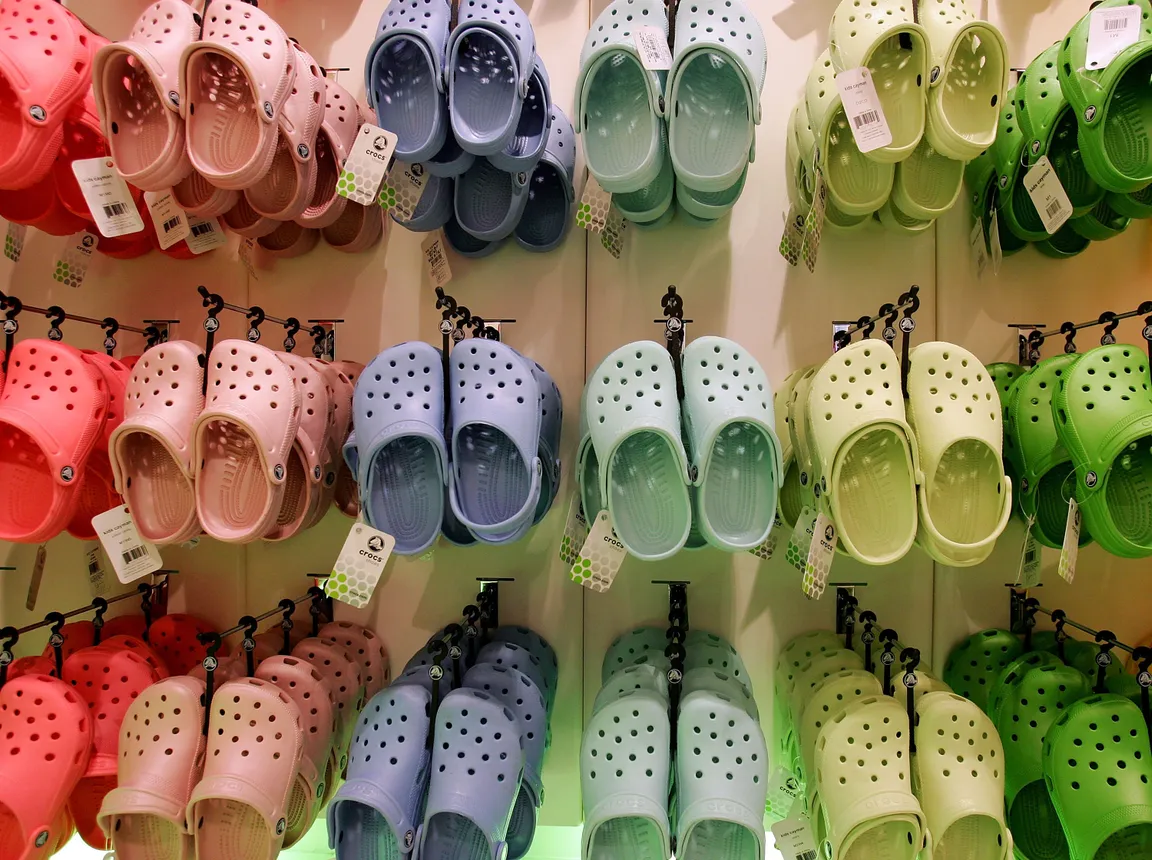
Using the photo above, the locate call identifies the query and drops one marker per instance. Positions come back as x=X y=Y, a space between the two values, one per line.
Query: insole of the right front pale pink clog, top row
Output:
x=223 y=125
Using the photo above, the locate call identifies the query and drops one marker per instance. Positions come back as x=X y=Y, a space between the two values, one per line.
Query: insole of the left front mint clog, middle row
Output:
x=649 y=498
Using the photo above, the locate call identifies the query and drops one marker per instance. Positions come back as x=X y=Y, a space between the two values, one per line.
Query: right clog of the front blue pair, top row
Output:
x=490 y=62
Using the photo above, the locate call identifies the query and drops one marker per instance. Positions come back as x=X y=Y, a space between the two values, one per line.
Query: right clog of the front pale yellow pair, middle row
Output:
x=966 y=498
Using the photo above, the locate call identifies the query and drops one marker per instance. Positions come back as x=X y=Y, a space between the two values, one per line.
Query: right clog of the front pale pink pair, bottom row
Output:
x=239 y=809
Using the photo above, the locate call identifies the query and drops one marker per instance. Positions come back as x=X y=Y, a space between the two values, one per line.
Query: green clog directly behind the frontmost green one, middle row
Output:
x=1041 y=462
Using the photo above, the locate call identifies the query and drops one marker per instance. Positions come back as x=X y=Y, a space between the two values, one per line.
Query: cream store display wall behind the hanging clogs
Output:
x=573 y=308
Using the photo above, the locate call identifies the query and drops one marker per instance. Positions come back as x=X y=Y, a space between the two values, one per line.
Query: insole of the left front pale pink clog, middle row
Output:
x=156 y=489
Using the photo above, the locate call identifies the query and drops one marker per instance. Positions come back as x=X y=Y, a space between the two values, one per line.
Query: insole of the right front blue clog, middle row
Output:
x=494 y=482
